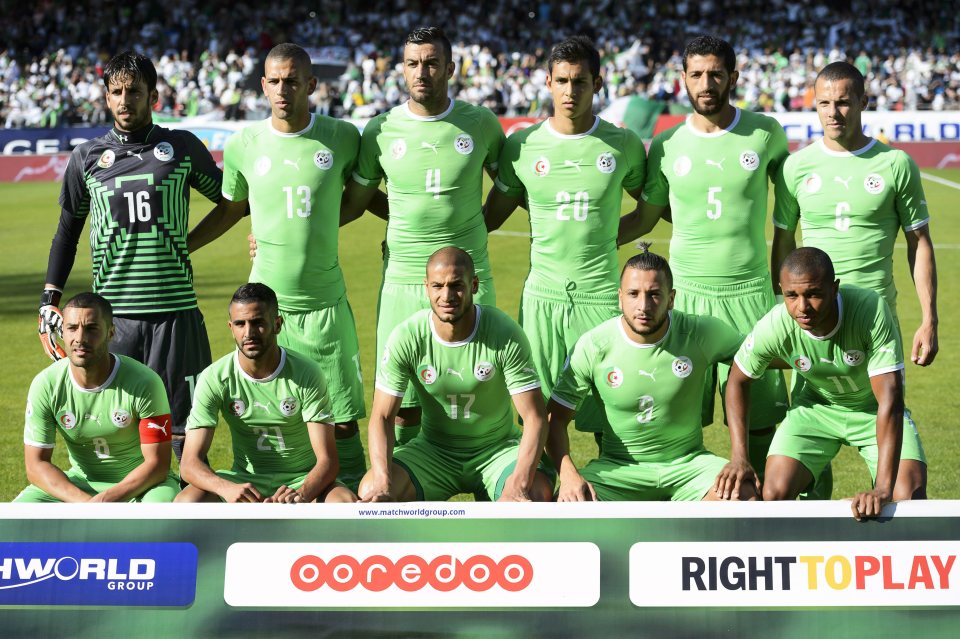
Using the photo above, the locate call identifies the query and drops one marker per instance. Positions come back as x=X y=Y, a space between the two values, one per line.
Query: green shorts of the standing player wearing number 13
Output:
x=329 y=337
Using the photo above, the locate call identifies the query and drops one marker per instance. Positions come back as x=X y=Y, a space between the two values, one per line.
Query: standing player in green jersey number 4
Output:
x=433 y=151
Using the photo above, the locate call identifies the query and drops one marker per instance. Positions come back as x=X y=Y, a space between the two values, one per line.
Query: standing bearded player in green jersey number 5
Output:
x=710 y=175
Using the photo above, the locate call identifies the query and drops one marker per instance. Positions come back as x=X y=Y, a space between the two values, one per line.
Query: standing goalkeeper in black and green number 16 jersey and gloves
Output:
x=134 y=183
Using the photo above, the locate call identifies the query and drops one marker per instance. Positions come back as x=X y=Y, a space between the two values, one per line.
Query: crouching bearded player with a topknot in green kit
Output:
x=648 y=366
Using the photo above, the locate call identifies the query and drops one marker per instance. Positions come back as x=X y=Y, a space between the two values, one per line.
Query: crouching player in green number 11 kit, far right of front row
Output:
x=845 y=344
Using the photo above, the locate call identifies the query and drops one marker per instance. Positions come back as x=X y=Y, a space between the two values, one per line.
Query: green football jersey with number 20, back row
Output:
x=573 y=188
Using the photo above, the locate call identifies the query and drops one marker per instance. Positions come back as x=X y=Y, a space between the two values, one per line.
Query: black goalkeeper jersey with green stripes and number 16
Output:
x=137 y=194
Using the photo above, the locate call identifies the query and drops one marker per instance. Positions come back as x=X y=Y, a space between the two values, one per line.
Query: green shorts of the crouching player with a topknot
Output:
x=687 y=478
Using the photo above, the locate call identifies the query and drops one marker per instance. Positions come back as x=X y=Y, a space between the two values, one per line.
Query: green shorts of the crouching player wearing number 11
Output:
x=813 y=433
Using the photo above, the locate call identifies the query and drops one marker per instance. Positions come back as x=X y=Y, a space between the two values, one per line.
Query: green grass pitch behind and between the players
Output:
x=29 y=217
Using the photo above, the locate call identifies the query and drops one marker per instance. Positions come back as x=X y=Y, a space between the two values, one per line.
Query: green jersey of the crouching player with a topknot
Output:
x=650 y=392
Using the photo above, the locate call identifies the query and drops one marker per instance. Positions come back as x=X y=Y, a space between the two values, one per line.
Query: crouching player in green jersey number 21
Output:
x=276 y=404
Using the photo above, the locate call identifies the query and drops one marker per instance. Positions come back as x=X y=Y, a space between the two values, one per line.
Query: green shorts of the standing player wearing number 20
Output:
x=553 y=322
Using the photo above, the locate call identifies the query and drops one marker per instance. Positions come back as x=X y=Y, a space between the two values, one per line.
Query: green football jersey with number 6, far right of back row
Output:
x=852 y=206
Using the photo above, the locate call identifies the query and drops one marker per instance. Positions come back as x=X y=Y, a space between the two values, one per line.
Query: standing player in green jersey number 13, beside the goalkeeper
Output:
x=290 y=171
